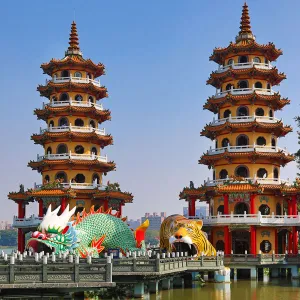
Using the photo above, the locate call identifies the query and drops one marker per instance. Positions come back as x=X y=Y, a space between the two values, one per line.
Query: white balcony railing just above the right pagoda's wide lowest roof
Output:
x=272 y=181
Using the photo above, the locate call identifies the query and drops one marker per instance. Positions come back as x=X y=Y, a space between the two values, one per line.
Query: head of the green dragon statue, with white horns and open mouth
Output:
x=55 y=233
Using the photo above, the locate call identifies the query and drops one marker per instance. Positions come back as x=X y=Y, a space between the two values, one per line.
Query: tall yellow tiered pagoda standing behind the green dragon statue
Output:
x=73 y=164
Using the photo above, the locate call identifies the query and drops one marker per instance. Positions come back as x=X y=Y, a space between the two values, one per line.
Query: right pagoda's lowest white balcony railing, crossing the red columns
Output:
x=251 y=219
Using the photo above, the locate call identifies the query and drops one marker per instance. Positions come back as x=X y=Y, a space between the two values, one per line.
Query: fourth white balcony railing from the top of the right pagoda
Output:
x=247 y=148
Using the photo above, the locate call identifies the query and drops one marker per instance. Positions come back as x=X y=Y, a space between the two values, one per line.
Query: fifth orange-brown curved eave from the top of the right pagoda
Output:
x=280 y=157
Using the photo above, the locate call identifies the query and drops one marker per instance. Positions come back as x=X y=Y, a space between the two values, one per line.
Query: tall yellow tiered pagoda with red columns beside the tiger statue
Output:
x=251 y=208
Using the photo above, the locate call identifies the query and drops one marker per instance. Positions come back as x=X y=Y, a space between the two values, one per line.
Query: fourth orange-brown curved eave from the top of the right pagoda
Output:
x=278 y=129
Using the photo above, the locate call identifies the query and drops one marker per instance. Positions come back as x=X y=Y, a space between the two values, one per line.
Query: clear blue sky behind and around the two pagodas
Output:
x=156 y=57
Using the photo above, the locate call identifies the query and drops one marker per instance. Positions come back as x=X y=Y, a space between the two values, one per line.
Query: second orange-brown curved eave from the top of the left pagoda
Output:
x=51 y=87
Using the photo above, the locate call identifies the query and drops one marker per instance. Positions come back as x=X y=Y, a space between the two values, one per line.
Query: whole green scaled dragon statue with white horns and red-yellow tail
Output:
x=89 y=234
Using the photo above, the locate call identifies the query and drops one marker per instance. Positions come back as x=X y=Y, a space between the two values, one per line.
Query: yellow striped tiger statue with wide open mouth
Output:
x=179 y=234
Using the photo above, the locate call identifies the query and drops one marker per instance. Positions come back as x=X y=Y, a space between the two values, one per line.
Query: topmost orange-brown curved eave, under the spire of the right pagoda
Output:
x=269 y=51
